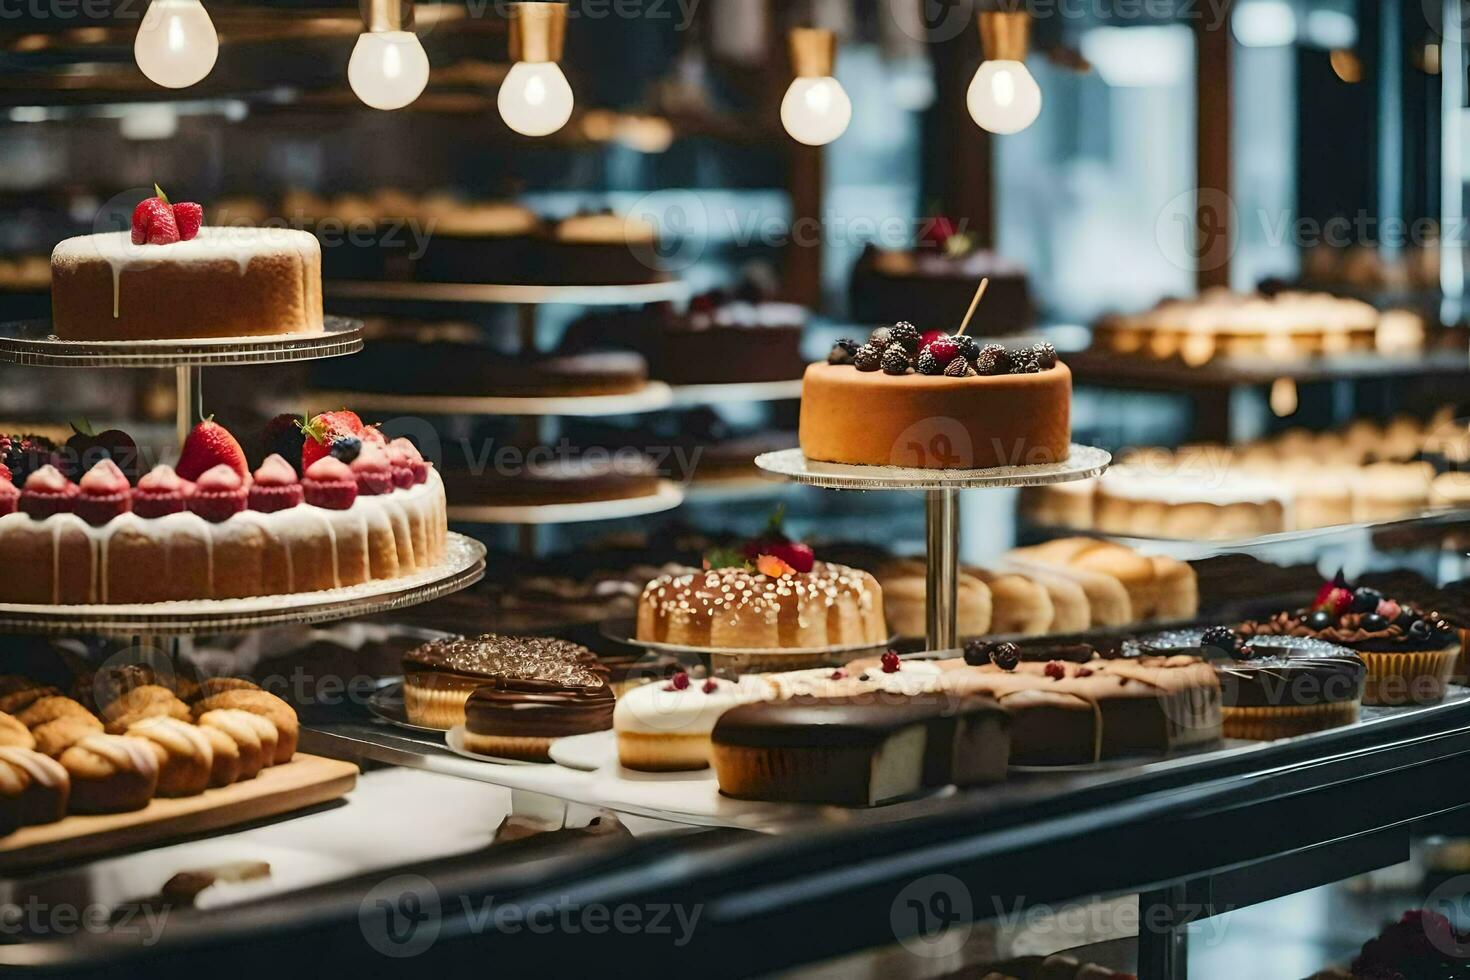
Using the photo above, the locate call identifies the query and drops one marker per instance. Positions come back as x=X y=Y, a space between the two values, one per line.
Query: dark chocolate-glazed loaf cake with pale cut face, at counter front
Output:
x=859 y=752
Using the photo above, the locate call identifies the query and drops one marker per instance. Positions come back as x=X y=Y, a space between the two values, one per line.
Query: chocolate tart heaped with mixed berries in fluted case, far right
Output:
x=1410 y=653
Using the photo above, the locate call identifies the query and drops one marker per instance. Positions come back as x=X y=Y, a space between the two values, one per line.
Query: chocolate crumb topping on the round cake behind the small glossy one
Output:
x=520 y=657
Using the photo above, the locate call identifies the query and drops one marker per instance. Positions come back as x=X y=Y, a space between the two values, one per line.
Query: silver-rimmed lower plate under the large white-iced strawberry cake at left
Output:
x=464 y=566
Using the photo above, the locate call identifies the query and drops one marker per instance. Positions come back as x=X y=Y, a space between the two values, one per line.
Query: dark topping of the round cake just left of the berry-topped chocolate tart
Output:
x=1286 y=671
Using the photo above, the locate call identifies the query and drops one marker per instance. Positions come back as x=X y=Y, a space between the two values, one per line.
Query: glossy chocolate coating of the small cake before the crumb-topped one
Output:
x=539 y=709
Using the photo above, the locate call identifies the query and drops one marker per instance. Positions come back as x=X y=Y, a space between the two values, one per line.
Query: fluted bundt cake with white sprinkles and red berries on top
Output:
x=772 y=594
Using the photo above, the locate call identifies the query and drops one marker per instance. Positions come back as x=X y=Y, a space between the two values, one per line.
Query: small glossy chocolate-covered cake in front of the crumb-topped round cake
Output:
x=521 y=718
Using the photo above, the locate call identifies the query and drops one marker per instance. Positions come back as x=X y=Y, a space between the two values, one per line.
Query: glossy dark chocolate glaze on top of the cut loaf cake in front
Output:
x=859 y=721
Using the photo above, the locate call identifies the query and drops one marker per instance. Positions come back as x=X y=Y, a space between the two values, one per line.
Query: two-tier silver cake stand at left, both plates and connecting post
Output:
x=33 y=343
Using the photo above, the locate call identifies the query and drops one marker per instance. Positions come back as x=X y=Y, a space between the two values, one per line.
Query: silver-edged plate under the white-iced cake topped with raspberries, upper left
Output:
x=35 y=345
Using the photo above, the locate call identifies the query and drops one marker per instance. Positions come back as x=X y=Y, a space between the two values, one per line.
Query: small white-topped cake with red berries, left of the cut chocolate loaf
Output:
x=665 y=728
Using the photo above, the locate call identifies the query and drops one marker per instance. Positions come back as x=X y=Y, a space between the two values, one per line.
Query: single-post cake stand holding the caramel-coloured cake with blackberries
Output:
x=942 y=508
